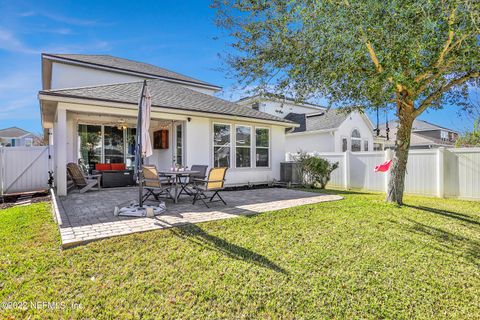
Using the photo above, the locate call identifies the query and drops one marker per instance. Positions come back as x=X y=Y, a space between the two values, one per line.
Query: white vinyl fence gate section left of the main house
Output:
x=23 y=169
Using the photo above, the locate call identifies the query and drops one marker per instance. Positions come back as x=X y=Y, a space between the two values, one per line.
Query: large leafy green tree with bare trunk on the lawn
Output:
x=403 y=54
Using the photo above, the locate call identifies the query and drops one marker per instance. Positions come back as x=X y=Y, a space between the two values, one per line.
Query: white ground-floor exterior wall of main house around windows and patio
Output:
x=198 y=141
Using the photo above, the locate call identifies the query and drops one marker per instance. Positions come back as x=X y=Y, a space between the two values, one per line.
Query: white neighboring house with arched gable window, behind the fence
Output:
x=320 y=130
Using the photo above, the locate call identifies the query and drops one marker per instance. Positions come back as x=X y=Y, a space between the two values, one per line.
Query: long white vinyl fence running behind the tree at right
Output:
x=439 y=172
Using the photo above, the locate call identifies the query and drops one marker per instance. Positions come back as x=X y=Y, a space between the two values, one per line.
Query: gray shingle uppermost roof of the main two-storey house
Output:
x=127 y=65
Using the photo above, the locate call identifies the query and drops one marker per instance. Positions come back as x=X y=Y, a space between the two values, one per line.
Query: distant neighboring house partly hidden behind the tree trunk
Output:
x=425 y=135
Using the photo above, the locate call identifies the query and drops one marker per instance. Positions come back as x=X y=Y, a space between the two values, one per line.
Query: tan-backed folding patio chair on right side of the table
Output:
x=215 y=183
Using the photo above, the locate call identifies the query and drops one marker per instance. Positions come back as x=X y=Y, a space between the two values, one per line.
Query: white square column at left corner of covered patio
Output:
x=61 y=152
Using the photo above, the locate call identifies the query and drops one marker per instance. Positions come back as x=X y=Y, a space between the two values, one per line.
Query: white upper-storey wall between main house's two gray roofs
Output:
x=70 y=76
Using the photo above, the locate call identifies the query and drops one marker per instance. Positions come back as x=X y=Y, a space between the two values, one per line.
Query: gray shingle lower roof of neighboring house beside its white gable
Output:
x=330 y=119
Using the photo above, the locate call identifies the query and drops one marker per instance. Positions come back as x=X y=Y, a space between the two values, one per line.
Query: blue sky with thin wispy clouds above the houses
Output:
x=176 y=35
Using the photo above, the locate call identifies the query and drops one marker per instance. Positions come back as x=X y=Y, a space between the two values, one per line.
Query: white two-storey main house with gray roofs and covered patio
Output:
x=90 y=105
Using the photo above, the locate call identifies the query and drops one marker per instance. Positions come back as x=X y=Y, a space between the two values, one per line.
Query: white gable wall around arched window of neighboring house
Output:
x=354 y=121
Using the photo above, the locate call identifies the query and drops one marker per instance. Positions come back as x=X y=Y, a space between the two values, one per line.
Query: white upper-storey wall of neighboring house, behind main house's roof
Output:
x=278 y=108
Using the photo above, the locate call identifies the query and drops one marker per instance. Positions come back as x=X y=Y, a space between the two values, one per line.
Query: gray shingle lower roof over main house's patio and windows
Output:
x=164 y=94
